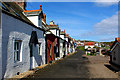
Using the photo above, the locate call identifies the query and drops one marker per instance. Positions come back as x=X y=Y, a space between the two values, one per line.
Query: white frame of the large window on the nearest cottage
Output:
x=20 y=51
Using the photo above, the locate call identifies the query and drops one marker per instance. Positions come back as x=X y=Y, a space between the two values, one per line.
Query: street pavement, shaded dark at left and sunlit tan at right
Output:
x=77 y=66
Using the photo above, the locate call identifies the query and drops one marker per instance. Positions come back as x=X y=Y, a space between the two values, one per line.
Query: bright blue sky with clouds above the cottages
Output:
x=82 y=20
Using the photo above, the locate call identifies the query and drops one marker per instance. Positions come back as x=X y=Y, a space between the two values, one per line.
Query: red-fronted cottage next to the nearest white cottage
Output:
x=51 y=45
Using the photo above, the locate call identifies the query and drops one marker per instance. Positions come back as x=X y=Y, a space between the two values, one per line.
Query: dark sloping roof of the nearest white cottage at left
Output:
x=13 y=9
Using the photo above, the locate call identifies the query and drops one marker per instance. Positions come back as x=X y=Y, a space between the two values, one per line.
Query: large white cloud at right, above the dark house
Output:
x=105 y=29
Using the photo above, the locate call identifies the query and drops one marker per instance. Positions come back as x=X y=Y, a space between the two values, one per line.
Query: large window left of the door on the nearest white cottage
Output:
x=17 y=49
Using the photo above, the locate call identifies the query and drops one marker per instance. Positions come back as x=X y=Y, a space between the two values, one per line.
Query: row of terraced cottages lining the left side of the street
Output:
x=26 y=41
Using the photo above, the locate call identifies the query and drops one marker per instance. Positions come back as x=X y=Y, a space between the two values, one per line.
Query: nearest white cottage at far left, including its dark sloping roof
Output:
x=22 y=44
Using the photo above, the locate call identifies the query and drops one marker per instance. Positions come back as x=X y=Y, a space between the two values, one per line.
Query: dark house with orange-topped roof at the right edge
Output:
x=115 y=51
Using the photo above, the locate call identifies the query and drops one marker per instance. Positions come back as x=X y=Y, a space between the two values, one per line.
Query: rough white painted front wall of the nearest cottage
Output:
x=15 y=28
